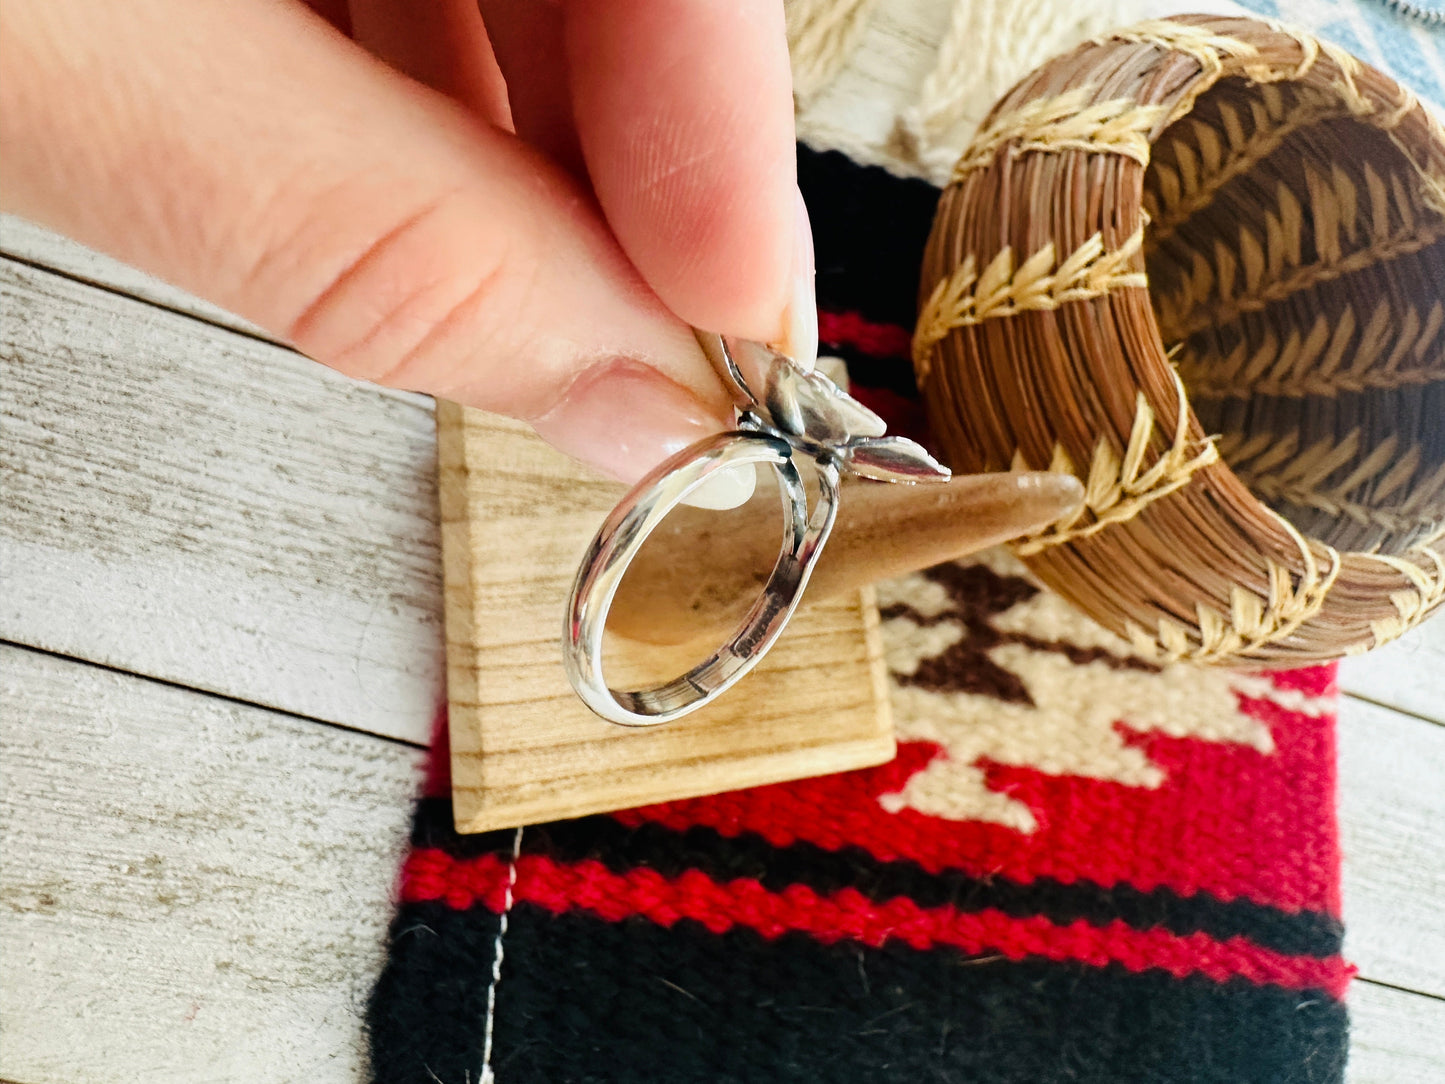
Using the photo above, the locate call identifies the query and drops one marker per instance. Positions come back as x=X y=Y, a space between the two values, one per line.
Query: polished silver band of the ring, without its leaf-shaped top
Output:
x=622 y=538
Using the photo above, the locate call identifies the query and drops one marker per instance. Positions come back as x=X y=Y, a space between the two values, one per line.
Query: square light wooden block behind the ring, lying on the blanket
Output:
x=517 y=518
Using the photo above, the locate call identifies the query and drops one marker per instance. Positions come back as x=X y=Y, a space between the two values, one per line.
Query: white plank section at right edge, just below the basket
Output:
x=1392 y=807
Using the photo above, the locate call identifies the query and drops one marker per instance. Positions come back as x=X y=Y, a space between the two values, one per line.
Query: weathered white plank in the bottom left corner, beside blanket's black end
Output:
x=193 y=890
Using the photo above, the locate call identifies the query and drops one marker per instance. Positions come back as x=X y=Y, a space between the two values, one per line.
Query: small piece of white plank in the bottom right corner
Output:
x=1395 y=1037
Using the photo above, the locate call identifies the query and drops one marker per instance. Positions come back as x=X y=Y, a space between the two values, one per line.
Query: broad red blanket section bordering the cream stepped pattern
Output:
x=1229 y=820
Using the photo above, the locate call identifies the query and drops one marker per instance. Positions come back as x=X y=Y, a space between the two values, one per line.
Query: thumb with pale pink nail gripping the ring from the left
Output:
x=251 y=154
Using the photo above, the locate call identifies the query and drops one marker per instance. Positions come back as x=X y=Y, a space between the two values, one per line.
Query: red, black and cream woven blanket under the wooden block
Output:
x=1080 y=868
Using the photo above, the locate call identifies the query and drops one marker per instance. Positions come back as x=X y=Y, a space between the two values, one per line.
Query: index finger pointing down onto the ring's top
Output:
x=684 y=113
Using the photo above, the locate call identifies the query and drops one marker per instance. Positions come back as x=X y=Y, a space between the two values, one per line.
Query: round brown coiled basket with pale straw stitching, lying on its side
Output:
x=1200 y=264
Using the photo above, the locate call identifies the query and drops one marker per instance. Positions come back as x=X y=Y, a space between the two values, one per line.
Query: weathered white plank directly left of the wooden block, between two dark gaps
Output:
x=194 y=505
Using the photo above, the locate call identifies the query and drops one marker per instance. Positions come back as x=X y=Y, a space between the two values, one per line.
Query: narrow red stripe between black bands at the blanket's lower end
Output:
x=847 y=916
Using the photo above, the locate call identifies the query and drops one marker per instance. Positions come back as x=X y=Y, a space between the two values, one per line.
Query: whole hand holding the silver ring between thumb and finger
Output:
x=387 y=203
